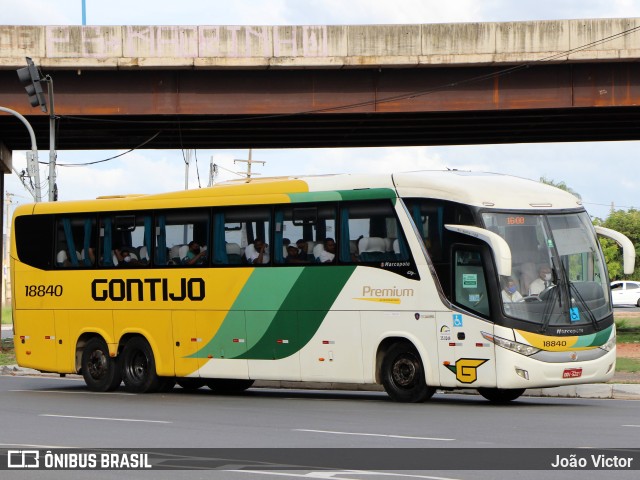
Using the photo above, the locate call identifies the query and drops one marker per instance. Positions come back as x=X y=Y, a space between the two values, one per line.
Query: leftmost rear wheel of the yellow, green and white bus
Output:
x=99 y=369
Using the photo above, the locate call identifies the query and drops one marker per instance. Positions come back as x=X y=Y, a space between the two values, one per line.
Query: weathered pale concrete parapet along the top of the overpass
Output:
x=321 y=46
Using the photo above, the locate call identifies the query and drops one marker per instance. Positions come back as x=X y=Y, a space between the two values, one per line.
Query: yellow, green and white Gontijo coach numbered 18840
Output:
x=417 y=281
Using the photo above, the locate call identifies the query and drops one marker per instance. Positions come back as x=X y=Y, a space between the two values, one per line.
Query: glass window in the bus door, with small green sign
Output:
x=470 y=287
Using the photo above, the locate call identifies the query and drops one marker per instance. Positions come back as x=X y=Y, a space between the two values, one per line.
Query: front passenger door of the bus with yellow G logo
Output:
x=467 y=359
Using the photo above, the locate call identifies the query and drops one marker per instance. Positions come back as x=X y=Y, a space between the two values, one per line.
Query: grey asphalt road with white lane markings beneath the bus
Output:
x=46 y=413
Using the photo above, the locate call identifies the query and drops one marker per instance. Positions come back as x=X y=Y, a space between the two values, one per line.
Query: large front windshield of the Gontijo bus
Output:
x=558 y=275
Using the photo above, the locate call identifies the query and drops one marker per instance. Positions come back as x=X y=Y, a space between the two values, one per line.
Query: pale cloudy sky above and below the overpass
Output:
x=602 y=173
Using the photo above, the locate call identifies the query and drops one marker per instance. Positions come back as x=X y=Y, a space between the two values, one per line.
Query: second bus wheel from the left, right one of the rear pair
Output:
x=139 y=367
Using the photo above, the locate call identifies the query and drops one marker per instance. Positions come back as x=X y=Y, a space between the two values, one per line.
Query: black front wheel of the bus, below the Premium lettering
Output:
x=403 y=376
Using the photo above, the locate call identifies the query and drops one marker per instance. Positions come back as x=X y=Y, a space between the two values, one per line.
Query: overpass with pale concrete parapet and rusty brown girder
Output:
x=314 y=86
